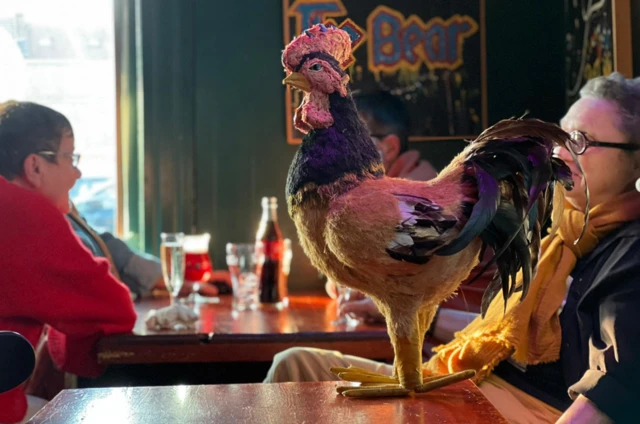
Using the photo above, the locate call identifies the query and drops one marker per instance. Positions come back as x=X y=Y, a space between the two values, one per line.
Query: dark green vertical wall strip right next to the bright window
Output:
x=169 y=117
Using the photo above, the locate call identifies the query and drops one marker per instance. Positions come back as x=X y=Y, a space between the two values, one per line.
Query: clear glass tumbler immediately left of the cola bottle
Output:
x=242 y=263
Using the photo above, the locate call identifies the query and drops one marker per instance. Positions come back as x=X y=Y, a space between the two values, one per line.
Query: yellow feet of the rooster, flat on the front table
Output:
x=379 y=385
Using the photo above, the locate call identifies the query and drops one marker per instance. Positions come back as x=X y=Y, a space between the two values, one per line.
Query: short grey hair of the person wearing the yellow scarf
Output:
x=625 y=93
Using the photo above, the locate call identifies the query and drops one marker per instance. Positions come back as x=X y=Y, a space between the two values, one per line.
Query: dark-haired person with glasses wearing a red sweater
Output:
x=48 y=278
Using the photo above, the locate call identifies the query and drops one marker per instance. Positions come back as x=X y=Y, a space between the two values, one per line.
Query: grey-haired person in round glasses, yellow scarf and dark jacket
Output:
x=569 y=352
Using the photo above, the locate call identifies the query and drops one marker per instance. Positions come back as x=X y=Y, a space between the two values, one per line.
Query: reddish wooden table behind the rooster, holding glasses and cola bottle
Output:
x=223 y=335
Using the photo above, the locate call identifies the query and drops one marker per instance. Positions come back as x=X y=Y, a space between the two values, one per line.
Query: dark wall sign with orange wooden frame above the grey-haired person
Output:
x=598 y=42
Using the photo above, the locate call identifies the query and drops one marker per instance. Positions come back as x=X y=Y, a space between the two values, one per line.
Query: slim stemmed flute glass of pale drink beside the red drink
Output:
x=172 y=258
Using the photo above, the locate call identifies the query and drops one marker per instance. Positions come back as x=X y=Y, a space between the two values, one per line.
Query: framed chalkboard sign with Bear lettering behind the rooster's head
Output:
x=430 y=53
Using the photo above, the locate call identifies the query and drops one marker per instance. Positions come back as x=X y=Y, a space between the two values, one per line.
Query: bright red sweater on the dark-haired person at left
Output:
x=48 y=277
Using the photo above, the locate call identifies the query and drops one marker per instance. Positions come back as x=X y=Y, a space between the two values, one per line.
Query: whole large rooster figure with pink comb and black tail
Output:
x=409 y=244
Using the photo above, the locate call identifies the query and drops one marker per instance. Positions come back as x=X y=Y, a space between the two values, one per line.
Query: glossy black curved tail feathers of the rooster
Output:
x=514 y=172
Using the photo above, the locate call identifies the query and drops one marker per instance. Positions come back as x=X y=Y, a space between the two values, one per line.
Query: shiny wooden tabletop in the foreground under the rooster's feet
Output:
x=288 y=403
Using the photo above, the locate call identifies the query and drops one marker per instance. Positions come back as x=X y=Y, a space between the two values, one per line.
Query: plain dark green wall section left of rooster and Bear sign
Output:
x=241 y=148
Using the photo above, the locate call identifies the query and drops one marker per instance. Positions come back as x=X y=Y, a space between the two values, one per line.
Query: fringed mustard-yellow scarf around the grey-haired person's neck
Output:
x=530 y=330
